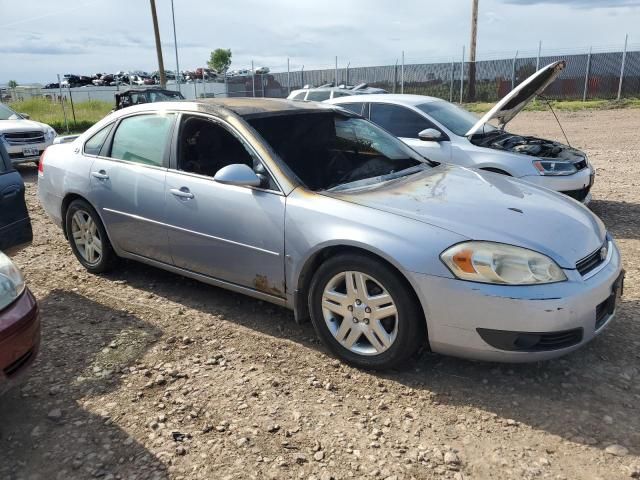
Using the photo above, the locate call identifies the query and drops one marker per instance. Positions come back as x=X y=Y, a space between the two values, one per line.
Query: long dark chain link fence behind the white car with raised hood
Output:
x=589 y=75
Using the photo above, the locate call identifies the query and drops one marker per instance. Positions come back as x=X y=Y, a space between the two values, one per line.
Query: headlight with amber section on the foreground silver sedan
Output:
x=489 y=262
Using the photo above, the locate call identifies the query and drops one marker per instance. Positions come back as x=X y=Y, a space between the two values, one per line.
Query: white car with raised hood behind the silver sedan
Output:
x=445 y=132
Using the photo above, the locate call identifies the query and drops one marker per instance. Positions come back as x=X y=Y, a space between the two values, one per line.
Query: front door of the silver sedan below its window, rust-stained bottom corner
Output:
x=232 y=233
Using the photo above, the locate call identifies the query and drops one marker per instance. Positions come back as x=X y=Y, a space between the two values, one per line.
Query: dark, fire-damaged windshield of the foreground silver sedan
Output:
x=331 y=150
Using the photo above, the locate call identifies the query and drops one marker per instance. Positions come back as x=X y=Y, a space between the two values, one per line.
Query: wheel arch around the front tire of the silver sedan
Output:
x=311 y=264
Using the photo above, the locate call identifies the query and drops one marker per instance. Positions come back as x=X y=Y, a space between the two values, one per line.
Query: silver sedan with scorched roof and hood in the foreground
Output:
x=312 y=207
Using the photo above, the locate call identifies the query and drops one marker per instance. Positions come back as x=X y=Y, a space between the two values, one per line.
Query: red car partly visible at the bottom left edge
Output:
x=19 y=325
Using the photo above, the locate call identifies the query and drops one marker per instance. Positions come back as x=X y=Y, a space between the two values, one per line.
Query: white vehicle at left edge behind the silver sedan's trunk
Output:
x=24 y=139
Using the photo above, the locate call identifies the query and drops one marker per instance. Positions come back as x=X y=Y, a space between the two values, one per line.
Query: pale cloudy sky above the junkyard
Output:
x=41 y=38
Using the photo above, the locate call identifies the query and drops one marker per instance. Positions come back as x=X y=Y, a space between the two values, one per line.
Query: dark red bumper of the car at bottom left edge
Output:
x=19 y=339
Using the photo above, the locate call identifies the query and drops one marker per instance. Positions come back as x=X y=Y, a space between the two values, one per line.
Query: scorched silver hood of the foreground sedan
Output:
x=486 y=206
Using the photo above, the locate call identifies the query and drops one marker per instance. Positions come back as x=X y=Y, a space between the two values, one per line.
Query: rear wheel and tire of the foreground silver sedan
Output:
x=88 y=237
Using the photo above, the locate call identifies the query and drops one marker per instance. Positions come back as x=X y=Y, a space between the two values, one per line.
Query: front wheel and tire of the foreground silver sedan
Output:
x=365 y=312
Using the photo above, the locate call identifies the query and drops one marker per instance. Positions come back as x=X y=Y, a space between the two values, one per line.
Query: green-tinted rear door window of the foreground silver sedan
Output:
x=143 y=139
